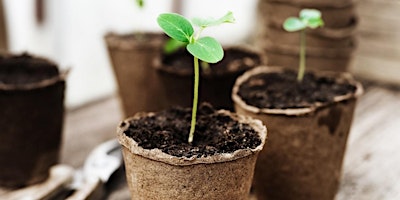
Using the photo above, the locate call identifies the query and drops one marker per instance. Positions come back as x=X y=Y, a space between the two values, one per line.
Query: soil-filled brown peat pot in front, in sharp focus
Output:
x=196 y=171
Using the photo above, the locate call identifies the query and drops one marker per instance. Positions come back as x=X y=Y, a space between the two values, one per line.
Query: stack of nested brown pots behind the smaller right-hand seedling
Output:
x=328 y=48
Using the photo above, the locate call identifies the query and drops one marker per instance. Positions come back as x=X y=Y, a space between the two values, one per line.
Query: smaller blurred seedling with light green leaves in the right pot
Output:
x=308 y=18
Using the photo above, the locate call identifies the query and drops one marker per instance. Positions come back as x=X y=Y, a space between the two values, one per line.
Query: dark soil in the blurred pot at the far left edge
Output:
x=25 y=69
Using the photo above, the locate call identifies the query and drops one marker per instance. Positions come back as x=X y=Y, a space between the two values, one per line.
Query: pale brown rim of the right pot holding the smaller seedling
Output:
x=342 y=77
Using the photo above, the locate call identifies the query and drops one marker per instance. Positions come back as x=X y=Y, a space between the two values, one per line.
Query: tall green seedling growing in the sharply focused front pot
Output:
x=206 y=49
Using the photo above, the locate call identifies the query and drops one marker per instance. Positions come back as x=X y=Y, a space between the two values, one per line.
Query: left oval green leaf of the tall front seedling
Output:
x=176 y=26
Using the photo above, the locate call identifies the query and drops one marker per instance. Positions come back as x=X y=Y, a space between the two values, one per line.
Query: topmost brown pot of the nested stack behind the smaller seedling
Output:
x=277 y=13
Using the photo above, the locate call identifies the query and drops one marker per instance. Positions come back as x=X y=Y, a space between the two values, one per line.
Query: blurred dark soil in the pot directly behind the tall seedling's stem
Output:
x=234 y=60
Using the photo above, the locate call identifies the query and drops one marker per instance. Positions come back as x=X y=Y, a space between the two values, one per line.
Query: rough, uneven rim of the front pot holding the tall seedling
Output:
x=158 y=155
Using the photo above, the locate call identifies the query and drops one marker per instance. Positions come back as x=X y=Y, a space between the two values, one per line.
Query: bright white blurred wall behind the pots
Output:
x=73 y=30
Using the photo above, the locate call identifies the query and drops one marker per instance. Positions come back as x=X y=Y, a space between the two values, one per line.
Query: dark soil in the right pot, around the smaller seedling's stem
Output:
x=282 y=90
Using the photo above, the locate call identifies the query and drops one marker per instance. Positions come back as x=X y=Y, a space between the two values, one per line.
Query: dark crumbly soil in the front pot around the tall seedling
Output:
x=215 y=133
